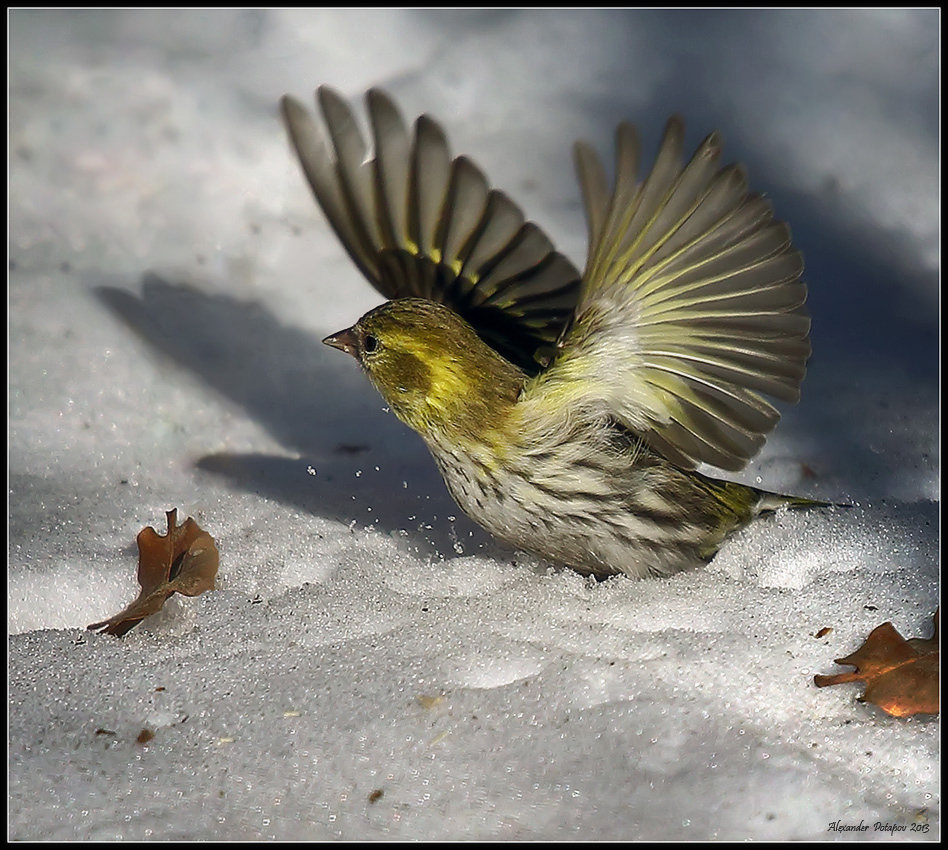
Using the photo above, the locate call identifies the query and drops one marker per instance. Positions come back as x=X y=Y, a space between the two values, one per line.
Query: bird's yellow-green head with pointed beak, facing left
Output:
x=436 y=374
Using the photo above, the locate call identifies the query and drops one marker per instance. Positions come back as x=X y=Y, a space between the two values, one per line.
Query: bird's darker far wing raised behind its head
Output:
x=420 y=223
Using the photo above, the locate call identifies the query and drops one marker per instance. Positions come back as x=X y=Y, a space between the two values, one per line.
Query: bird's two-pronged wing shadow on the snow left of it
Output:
x=354 y=462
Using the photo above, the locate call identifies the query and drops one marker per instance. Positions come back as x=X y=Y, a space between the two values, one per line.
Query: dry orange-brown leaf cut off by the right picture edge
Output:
x=901 y=675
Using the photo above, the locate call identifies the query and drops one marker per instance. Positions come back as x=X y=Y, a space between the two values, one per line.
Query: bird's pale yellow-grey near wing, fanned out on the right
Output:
x=691 y=308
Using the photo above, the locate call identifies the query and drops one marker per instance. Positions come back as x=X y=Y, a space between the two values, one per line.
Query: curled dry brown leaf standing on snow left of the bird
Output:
x=184 y=560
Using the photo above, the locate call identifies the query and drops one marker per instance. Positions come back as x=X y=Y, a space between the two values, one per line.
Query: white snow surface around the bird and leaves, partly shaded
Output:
x=373 y=666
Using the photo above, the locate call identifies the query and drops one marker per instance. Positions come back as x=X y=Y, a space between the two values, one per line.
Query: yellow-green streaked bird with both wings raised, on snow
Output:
x=568 y=411
